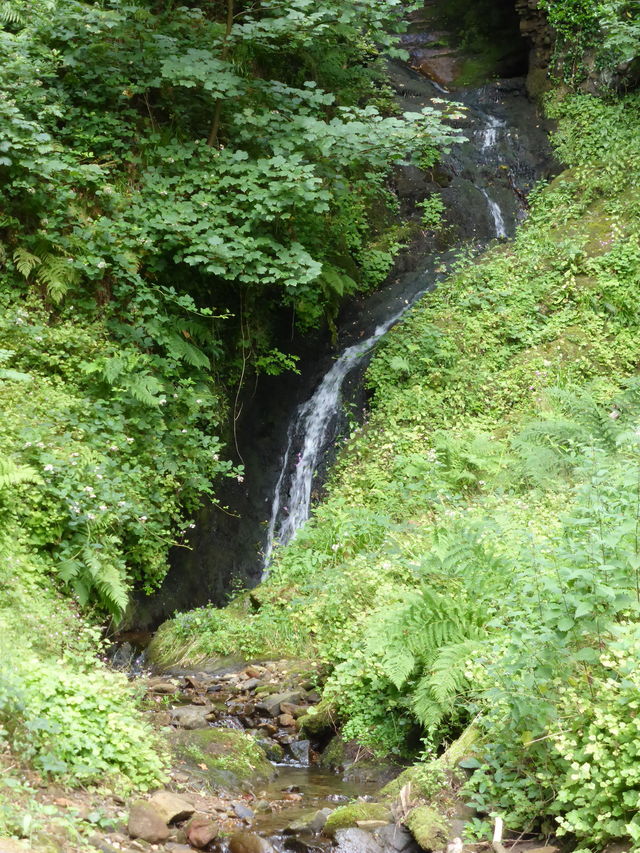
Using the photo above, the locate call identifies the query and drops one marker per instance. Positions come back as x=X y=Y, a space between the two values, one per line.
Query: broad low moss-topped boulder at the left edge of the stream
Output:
x=232 y=758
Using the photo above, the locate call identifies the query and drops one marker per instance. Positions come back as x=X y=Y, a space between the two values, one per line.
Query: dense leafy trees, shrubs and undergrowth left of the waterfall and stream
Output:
x=178 y=183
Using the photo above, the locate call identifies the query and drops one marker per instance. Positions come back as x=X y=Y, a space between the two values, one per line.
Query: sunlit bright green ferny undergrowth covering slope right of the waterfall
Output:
x=478 y=555
